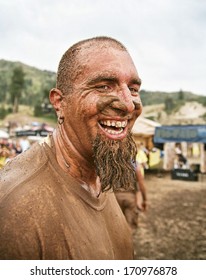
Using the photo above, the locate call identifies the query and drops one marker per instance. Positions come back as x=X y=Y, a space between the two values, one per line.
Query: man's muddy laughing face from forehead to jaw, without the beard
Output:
x=105 y=99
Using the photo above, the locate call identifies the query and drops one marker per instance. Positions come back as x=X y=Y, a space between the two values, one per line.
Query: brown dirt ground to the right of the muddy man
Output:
x=174 y=226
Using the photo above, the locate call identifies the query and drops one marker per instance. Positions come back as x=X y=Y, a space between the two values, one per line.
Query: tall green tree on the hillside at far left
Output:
x=16 y=87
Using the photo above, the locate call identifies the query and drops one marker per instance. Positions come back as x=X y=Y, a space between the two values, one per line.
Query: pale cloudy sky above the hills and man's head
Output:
x=166 y=38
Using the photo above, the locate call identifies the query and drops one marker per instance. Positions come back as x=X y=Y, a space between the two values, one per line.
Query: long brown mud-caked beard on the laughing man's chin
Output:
x=113 y=160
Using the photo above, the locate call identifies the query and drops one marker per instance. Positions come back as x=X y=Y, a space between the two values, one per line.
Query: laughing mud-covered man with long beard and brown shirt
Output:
x=56 y=198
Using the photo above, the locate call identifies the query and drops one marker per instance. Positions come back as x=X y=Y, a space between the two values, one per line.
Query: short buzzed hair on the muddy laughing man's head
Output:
x=69 y=67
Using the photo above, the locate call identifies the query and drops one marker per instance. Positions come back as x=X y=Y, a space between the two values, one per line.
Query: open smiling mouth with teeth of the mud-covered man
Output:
x=113 y=127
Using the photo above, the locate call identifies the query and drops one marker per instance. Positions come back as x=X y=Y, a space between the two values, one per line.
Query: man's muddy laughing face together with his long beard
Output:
x=100 y=112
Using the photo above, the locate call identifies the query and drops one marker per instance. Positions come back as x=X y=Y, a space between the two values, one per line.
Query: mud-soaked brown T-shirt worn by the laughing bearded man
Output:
x=46 y=214
